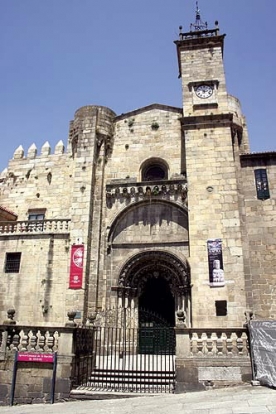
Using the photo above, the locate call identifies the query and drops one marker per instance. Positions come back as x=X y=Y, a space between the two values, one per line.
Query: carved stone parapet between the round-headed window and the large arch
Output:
x=175 y=190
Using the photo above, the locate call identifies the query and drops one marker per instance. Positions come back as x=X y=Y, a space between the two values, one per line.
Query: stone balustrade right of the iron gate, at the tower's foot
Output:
x=216 y=343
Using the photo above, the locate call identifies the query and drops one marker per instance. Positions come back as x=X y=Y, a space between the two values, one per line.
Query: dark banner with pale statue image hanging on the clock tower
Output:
x=216 y=272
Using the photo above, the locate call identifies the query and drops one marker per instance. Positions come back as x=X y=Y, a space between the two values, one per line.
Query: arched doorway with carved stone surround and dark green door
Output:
x=157 y=285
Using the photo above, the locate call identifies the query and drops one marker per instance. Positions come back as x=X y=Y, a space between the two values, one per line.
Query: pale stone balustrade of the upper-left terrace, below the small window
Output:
x=35 y=226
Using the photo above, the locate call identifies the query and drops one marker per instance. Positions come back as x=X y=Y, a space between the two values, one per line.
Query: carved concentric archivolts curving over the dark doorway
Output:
x=137 y=270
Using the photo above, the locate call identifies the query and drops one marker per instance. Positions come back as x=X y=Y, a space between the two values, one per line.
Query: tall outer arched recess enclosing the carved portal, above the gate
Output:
x=155 y=233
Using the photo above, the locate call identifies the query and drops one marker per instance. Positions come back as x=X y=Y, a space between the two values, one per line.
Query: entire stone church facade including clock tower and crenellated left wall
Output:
x=162 y=211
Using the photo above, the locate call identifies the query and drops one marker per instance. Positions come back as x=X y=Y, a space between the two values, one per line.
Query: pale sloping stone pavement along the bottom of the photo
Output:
x=235 y=400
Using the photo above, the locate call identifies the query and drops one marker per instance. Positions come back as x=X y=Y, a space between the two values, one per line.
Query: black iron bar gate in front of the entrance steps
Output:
x=126 y=359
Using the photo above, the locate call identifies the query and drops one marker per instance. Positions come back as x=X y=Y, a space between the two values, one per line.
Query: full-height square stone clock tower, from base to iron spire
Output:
x=213 y=128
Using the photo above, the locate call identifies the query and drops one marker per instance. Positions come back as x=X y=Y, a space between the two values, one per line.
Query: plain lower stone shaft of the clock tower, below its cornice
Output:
x=214 y=214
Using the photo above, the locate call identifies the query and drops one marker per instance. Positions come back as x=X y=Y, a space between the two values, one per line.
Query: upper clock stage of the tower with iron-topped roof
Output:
x=200 y=59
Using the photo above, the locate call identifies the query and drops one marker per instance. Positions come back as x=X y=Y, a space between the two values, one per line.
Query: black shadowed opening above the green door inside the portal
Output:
x=158 y=302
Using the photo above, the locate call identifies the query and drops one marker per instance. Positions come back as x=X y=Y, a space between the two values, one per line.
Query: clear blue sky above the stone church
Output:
x=58 y=55
